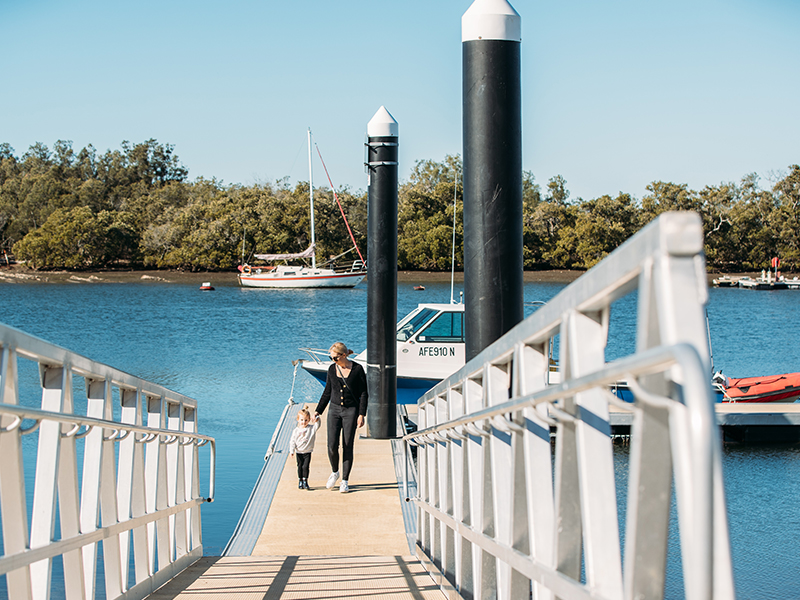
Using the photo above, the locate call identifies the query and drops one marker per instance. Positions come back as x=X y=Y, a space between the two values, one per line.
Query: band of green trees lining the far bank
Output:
x=63 y=208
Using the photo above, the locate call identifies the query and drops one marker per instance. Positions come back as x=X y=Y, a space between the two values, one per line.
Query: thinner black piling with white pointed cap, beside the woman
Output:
x=382 y=152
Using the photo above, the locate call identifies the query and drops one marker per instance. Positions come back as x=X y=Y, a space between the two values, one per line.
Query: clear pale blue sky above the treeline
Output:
x=615 y=94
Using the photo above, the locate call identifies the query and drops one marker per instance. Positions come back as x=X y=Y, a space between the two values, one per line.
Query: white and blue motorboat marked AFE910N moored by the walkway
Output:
x=430 y=347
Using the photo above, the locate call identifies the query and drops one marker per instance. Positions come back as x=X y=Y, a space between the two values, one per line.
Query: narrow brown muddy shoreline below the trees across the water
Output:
x=21 y=274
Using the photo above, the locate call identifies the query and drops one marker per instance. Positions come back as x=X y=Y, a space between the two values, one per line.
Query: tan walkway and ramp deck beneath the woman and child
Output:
x=321 y=543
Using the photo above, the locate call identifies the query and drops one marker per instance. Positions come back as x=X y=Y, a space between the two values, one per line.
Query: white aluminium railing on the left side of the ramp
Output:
x=126 y=474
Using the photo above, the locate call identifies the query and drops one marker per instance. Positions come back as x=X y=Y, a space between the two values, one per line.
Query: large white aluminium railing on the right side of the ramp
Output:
x=501 y=515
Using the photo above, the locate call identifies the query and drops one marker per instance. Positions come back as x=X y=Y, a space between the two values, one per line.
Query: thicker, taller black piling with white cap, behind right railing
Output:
x=492 y=133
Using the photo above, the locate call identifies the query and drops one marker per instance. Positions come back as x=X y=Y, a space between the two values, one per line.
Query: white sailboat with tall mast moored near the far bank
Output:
x=302 y=276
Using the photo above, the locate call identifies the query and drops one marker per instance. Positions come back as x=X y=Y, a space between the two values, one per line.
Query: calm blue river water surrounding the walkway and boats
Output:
x=232 y=350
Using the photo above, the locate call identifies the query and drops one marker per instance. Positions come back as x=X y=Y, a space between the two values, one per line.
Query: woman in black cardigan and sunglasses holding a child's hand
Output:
x=346 y=392
